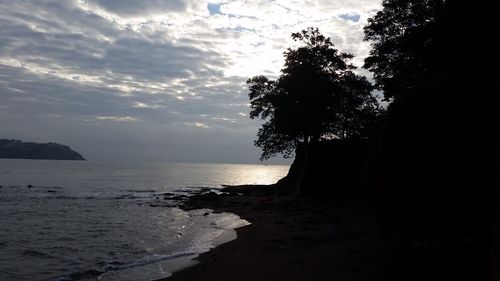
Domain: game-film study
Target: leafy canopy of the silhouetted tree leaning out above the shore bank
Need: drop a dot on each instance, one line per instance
(317, 96)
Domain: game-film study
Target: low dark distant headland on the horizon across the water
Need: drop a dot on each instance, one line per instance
(16, 149)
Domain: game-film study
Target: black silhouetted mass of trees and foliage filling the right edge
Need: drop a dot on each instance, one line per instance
(437, 63)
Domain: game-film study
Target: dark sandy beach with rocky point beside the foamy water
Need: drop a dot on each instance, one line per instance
(291, 239)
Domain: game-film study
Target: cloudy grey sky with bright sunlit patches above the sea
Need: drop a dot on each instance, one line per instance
(153, 80)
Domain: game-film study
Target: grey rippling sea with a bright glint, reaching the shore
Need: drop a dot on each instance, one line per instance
(84, 220)
